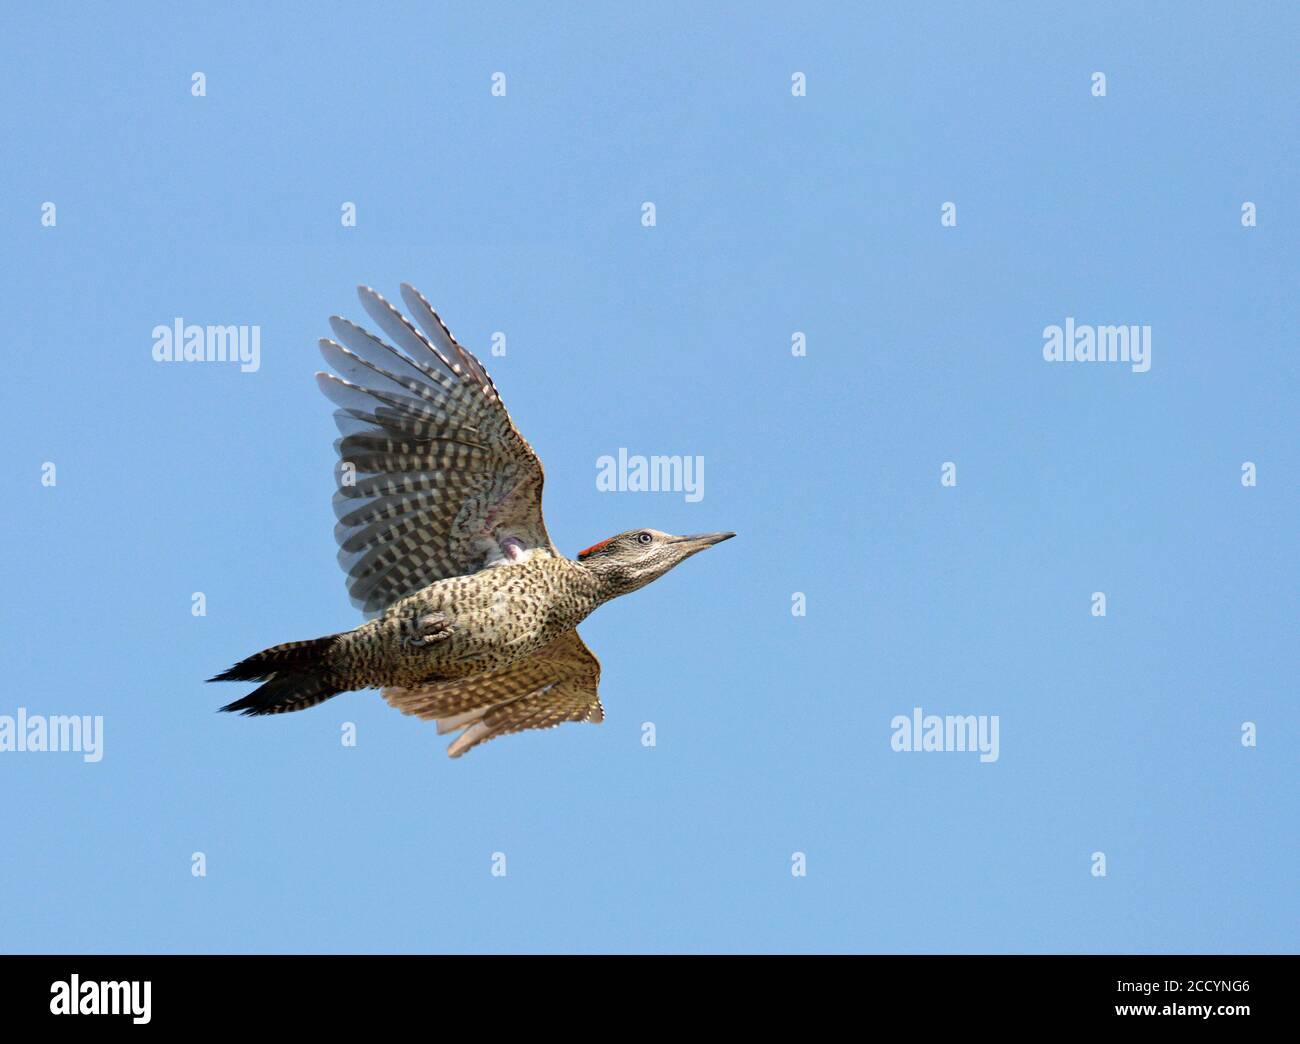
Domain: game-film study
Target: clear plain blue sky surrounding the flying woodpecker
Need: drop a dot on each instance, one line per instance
(775, 215)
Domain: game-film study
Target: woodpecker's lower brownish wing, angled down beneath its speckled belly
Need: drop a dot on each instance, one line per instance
(553, 686)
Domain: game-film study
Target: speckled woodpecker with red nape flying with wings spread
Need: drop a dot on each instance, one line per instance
(473, 610)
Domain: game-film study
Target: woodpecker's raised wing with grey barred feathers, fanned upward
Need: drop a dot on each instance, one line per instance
(435, 480)
